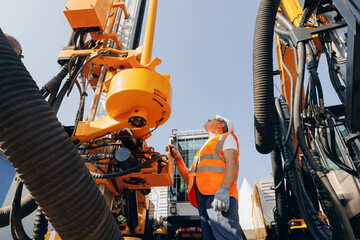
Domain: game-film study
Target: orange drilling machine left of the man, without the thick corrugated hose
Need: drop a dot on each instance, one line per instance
(130, 97)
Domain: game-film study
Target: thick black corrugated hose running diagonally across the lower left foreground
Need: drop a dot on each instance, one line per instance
(45, 159)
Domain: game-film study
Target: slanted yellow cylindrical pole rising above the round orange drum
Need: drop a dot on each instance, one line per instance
(149, 32)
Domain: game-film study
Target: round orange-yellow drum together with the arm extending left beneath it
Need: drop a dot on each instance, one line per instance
(132, 92)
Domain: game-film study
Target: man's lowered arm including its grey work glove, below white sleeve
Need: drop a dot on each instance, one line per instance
(222, 197)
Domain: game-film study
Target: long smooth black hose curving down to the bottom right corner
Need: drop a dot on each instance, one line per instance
(348, 232)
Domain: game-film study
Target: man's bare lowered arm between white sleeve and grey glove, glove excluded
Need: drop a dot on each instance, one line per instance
(230, 156)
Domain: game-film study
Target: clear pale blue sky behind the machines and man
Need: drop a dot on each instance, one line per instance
(205, 46)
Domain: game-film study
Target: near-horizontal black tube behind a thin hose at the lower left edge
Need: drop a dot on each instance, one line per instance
(28, 205)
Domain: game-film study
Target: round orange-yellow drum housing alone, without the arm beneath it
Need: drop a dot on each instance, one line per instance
(141, 92)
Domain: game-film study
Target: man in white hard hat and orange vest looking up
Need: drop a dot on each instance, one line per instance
(212, 181)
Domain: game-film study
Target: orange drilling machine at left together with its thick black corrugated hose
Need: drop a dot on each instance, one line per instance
(104, 181)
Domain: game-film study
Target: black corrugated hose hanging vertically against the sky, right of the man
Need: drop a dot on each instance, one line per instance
(263, 84)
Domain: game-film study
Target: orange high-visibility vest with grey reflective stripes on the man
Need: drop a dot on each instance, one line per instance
(208, 169)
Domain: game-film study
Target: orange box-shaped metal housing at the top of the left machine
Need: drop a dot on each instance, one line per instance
(88, 13)
